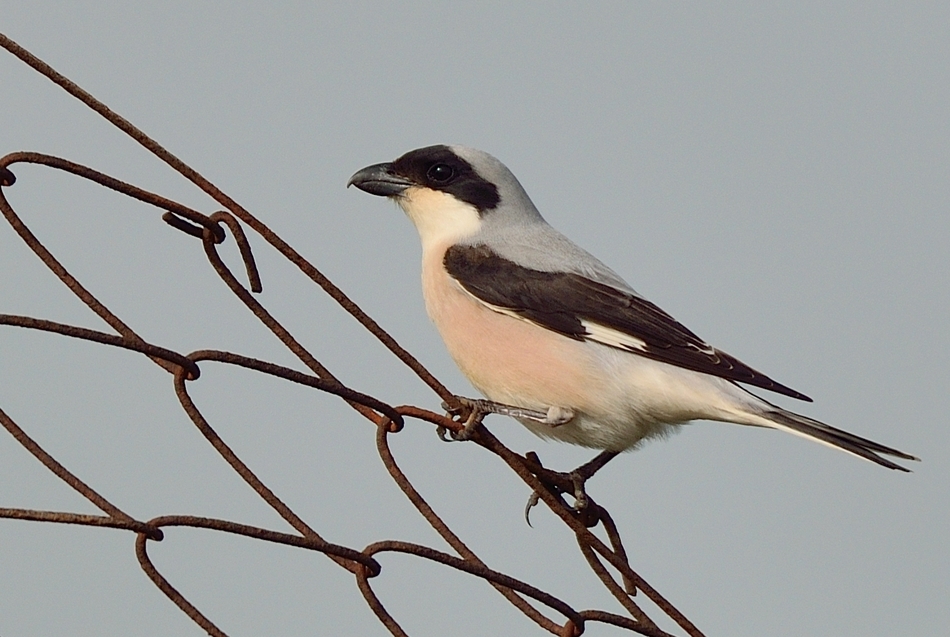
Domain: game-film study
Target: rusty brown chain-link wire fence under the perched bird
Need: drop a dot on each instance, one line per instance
(184, 368)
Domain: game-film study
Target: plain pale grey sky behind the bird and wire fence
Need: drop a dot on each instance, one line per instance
(776, 178)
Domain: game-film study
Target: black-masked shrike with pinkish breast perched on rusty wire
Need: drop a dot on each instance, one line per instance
(540, 325)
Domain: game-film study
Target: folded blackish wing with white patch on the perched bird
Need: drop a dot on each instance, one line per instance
(582, 309)
